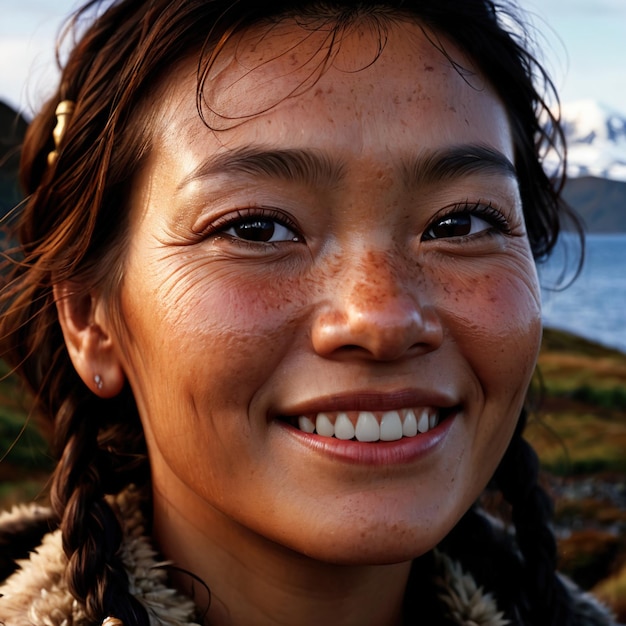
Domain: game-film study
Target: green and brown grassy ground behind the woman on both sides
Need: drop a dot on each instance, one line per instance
(578, 429)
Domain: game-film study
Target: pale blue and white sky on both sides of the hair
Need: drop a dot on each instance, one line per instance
(583, 43)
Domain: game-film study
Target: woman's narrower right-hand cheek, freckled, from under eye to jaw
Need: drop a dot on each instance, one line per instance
(493, 318)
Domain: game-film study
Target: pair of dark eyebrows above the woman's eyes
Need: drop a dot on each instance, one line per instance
(318, 168)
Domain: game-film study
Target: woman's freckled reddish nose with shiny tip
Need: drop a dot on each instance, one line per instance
(376, 310)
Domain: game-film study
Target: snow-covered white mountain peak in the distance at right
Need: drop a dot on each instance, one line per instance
(596, 140)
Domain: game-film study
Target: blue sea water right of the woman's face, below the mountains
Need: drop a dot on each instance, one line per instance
(594, 305)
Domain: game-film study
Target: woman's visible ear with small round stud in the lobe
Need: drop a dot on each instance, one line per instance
(89, 340)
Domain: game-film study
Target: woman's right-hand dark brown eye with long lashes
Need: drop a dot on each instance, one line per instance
(471, 220)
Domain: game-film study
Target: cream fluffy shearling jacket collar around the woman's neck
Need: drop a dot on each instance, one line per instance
(36, 594)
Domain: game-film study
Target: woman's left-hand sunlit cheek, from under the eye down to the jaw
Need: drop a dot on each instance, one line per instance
(201, 350)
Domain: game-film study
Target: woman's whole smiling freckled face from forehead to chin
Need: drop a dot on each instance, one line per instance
(351, 259)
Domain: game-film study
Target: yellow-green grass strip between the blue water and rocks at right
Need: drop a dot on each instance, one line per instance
(580, 427)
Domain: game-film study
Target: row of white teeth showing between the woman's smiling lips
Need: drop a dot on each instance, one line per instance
(372, 426)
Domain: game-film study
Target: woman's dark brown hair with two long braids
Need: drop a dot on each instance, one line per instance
(73, 223)
